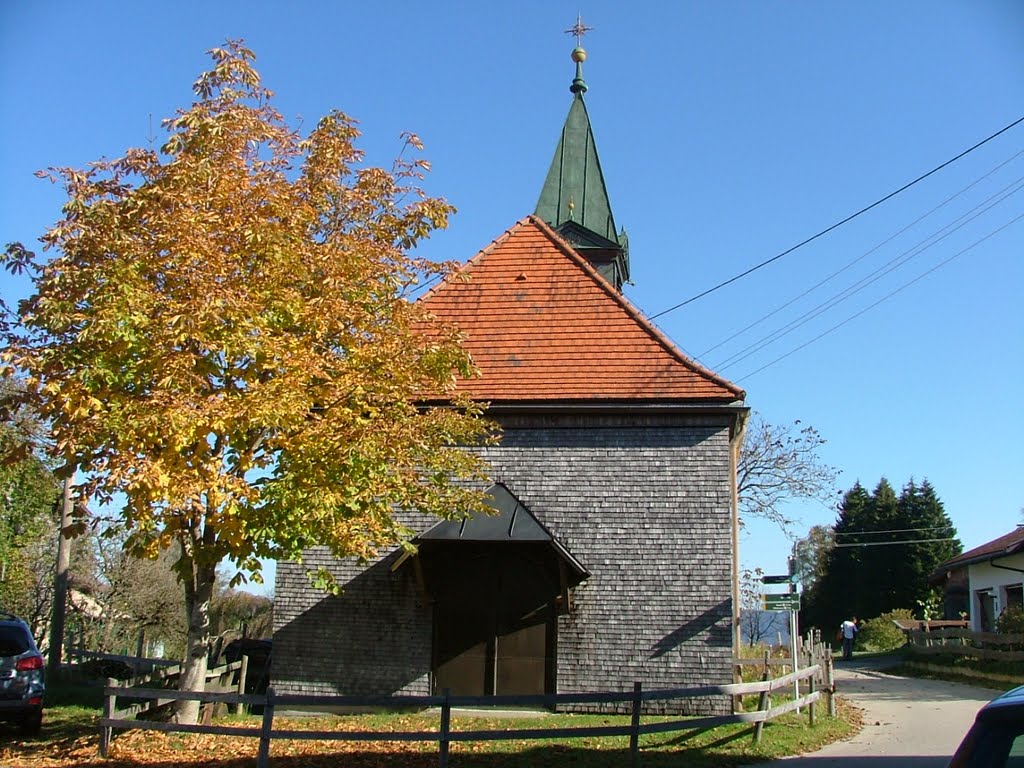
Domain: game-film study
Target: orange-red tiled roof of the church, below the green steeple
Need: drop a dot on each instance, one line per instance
(544, 326)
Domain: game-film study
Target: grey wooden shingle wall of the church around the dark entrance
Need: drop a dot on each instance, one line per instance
(644, 502)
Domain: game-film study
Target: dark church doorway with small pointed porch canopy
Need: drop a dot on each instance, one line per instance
(497, 585)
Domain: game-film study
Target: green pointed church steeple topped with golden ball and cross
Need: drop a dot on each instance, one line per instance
(574, 200)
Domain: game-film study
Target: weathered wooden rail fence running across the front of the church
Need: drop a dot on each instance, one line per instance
(119, 719)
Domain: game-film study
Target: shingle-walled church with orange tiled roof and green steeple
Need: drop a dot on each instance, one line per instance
(612, 556)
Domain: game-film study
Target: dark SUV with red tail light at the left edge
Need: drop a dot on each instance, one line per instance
(21, 675)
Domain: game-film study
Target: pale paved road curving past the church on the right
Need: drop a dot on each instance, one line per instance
(909, 722)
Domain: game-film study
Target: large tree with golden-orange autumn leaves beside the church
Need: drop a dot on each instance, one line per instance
(223, 346)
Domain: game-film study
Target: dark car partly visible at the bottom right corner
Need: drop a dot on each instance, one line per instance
(997, 739)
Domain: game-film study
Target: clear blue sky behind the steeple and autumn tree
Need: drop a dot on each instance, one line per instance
(729, 133)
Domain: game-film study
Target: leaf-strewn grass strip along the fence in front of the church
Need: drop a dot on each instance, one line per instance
(70, 737)
